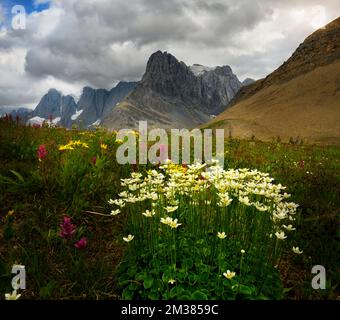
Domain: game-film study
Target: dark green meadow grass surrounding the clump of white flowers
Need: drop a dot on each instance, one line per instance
(41, 193)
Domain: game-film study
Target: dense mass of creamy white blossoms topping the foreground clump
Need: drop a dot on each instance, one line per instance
(243, 187)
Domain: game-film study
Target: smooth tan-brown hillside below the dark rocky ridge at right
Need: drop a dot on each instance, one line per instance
(306, 107)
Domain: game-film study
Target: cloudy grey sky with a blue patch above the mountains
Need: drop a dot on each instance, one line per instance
(69, 44)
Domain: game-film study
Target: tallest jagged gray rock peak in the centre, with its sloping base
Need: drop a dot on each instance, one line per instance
(173, 95)
